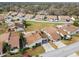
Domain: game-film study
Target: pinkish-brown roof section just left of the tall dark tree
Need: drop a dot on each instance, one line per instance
(13, 40)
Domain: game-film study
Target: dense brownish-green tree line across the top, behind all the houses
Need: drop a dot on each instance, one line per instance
(50, 8)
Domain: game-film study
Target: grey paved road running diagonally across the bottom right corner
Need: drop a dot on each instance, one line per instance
(64, 51)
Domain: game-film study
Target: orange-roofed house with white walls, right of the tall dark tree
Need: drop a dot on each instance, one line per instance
(33, 37)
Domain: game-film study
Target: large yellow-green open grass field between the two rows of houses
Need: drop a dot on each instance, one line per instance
(39, 25)
